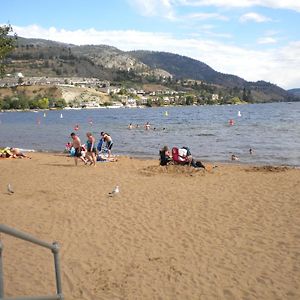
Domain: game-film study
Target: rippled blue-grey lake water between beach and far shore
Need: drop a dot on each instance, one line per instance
(271, 130)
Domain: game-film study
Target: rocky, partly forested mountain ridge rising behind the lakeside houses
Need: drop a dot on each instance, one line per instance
(38, 57)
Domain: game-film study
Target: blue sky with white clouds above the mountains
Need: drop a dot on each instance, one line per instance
(253, 39)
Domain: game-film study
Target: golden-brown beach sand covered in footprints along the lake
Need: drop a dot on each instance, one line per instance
(171, 233)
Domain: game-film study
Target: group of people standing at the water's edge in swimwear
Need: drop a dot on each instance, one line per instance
(89, 152)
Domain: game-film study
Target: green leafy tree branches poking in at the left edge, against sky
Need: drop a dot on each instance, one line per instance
(7, 45)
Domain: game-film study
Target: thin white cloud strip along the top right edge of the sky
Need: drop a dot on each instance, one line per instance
(282, 4)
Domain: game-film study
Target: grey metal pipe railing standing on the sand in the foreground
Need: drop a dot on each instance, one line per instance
(54, 247)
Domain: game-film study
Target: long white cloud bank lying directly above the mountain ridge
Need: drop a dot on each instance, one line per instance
(278, 65)
